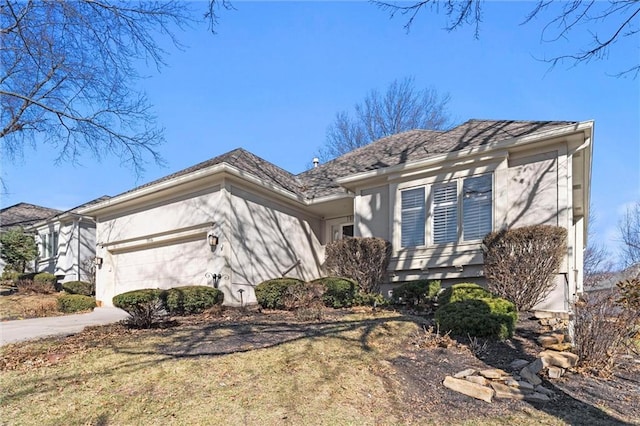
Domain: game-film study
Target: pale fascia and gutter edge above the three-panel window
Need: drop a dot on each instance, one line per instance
(519, 141)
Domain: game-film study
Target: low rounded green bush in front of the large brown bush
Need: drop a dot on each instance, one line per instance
(470, 310)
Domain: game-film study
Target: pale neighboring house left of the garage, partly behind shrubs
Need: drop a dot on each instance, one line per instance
(66, 243)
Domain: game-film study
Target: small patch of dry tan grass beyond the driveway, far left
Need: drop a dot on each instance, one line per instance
(20, 306)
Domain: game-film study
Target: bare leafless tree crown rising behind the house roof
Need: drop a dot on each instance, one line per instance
(402, 107)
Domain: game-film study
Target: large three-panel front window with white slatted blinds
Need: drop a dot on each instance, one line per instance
(460, 210)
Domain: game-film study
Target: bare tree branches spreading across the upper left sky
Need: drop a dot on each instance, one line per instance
(69, 71)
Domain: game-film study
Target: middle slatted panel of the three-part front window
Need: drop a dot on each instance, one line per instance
(445, 213)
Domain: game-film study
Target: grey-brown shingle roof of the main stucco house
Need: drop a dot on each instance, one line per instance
(389, 151)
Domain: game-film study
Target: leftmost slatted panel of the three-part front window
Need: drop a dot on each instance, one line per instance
(412, 218)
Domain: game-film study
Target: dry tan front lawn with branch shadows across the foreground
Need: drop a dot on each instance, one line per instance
(356, 367)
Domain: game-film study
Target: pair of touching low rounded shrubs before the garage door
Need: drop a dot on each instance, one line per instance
(148, 306)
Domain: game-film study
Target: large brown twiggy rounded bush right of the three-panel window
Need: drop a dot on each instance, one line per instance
(520, 263)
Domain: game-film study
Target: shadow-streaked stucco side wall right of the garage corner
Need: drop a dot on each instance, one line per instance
(268, 238)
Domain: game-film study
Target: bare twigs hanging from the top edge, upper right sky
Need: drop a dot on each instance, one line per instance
(565, 18)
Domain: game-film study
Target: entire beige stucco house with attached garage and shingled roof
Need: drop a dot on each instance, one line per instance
(236, 220)
